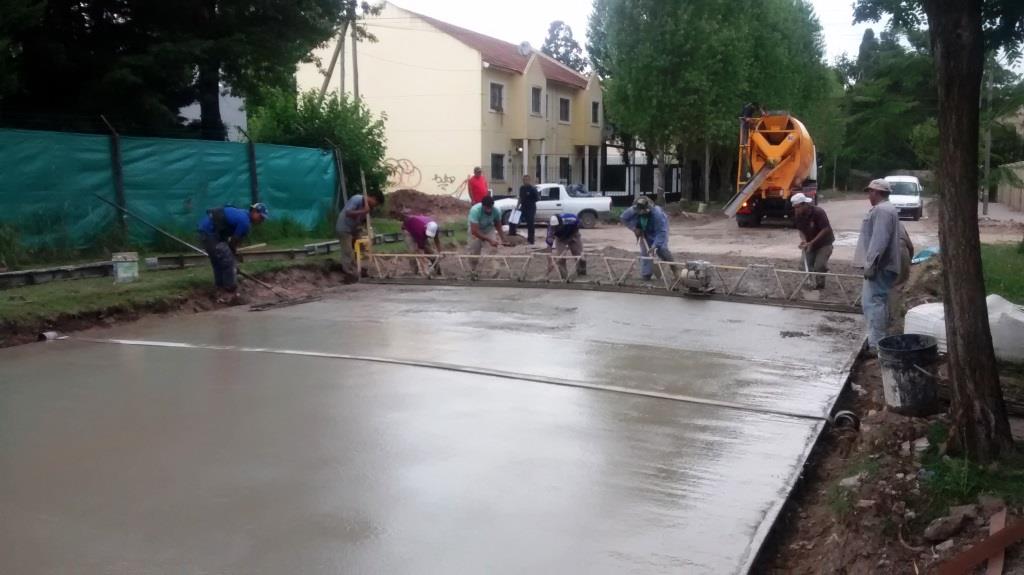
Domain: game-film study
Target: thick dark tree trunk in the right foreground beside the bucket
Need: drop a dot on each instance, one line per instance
(980, 429)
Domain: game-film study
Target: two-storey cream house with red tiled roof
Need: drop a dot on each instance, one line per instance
(455, 100)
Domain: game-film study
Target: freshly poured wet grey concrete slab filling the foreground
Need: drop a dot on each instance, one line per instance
(410, 430)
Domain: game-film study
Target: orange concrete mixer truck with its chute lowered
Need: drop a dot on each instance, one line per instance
(777, 160)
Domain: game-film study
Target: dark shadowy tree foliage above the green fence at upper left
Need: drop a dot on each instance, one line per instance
(64, 63)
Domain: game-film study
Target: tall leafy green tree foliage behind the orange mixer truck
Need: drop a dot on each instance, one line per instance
(679, 73)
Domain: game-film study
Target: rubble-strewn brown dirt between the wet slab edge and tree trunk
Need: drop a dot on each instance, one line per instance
(861, 508)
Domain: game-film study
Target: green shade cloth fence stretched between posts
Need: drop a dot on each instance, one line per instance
(48, 181)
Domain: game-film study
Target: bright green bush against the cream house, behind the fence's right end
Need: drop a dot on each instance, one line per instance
(308, 121)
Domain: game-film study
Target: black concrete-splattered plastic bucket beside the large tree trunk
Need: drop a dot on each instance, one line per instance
(909, 373)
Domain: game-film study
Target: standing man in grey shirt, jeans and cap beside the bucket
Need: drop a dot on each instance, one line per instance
(879, 253)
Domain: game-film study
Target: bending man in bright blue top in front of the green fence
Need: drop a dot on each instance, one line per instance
(221, 234)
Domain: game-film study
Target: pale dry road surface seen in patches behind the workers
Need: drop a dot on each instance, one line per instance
(722, 237)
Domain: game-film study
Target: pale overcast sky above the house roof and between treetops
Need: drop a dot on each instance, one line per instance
(529, 20)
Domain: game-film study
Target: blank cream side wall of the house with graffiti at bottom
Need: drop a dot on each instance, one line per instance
(429, 85)
